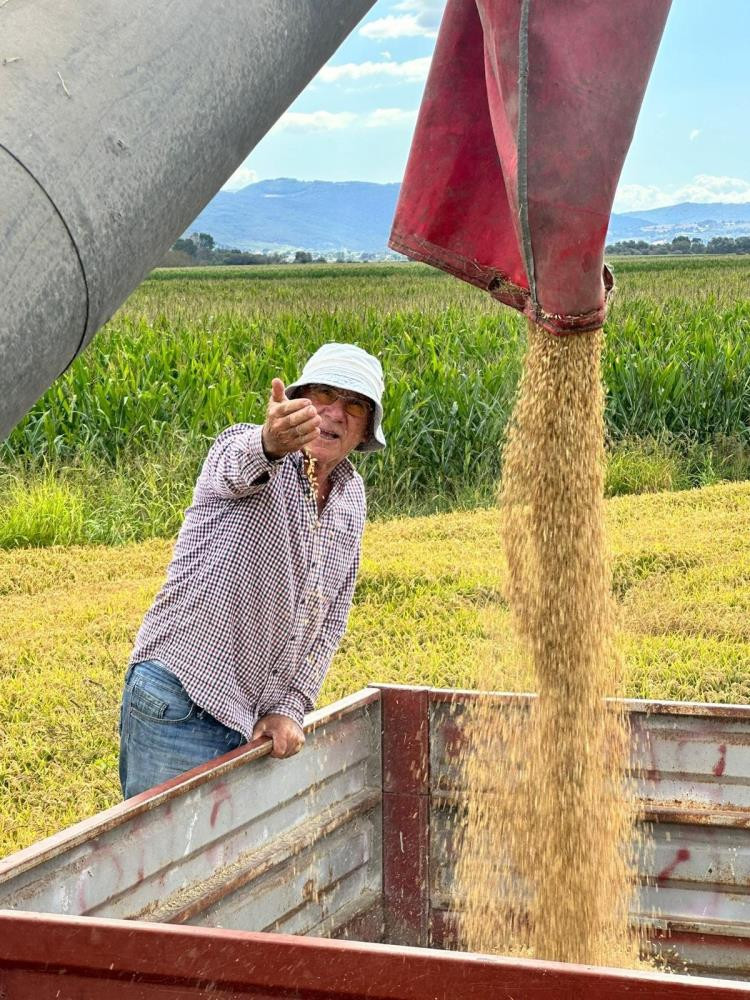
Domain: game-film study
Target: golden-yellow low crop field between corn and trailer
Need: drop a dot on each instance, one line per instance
(428, 610)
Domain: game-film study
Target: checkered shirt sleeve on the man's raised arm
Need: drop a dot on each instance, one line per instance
(236, 464)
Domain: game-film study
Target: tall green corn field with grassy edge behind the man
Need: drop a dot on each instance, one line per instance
(123, 432)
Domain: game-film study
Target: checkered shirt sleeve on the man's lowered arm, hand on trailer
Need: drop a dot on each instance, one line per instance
(303, 692)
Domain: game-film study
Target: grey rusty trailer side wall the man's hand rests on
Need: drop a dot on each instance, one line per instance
(289, 845)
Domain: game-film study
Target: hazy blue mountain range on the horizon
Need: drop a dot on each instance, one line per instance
(327, 217)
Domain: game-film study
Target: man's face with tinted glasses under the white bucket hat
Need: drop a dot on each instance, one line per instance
(345, 420)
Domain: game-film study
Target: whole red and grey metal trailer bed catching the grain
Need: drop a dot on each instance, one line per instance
(331, 874)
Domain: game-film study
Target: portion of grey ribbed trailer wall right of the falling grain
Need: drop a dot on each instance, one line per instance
(692, 765)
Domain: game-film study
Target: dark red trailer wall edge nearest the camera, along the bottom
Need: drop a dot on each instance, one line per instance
(87, 959)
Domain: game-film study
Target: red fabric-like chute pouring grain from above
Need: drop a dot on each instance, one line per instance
(527, 115)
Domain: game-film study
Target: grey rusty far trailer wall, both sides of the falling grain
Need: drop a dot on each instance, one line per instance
(691, 765)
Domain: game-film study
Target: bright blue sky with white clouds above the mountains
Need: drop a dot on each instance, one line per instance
(354, 121)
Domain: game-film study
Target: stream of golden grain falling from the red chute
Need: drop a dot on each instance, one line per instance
(545, 863)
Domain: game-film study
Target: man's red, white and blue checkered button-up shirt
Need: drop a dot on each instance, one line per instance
(259, 588)
